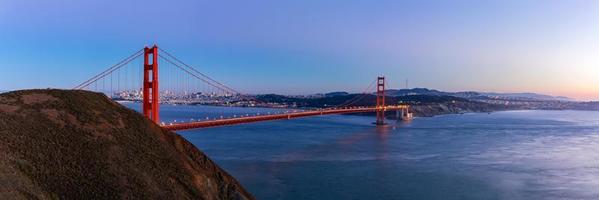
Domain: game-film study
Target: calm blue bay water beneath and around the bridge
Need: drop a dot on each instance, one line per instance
(504, 155)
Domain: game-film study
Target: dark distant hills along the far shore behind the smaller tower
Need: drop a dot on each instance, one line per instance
(428, 102)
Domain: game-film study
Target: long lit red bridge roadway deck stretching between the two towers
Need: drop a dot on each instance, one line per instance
(271, 117)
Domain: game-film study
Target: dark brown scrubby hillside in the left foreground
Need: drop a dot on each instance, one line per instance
(59, 144)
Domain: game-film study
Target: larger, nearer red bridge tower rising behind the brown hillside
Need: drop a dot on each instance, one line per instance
(150, 85)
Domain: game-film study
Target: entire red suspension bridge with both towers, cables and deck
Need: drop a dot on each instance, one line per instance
(181, 82)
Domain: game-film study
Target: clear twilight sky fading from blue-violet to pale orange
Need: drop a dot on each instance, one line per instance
(309, 46)
